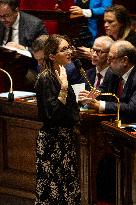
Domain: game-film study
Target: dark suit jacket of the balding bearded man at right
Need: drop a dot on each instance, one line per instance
(127, 100)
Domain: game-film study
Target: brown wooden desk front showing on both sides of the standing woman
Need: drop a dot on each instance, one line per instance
(19, 127)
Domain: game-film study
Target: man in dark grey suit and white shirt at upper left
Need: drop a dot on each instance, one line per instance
(18, 28)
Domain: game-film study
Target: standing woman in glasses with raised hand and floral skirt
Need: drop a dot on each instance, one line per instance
(57, 156)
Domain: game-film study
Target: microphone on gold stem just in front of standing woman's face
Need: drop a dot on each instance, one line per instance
(78, 65)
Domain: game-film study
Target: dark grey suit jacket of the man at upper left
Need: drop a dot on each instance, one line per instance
(30, 27)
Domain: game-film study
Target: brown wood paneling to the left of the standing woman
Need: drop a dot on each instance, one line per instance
(17, 154)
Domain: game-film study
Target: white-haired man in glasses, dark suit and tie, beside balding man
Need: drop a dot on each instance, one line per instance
(99, 53)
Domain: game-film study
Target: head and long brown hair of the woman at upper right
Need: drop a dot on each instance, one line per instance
(117, 24)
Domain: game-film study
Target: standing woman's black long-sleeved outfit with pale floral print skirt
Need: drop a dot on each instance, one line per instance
(58, 150)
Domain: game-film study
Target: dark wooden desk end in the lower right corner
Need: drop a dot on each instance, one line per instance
(124, 148)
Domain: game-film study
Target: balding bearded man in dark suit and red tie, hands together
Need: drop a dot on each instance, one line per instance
(122, 60)
